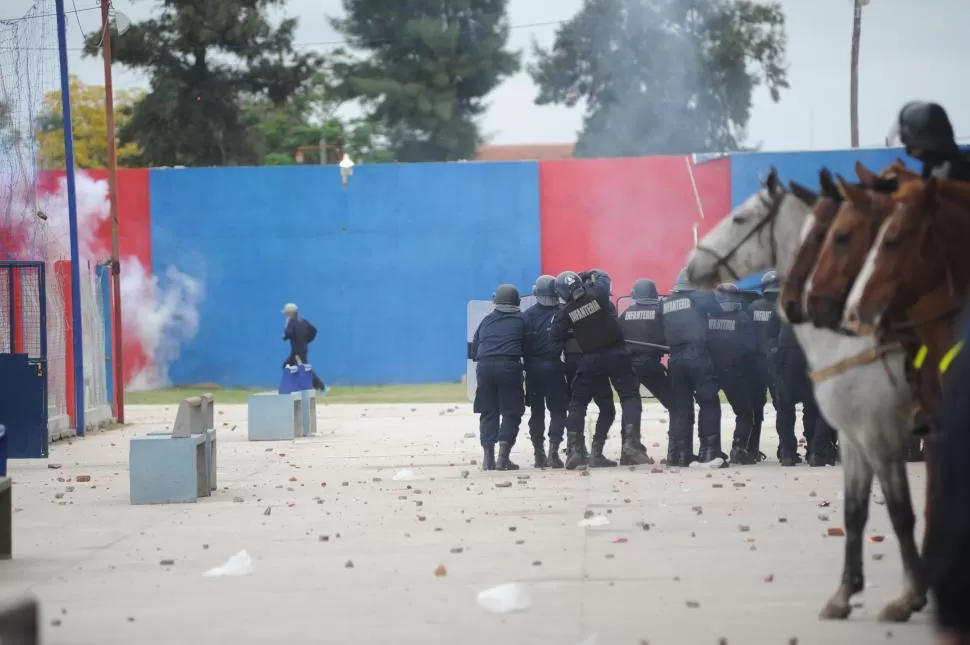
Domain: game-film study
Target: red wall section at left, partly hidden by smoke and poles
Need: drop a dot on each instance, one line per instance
(134, 237)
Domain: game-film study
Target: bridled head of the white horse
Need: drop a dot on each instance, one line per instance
(760, 234)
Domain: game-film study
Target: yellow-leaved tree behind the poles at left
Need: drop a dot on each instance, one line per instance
(90, 127)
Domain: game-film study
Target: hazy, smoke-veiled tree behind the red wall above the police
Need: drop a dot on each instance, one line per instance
(663, 76)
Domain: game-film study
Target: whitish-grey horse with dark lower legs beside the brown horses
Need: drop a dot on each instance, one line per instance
(866, 399)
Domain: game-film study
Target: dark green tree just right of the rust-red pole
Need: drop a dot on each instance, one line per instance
(206, 59)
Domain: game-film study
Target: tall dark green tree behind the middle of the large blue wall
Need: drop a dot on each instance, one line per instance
(429, 66)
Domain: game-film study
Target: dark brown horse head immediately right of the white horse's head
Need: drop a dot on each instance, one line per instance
(825, 208)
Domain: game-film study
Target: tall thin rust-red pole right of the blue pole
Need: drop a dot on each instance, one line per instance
(117, 361)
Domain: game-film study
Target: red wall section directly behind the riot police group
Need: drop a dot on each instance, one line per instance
(631, 217)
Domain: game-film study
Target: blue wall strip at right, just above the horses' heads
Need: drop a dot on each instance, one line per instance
(747, 170)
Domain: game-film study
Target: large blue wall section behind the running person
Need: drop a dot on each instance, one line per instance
(384, 269)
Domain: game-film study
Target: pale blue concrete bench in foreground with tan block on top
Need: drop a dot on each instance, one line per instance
(179, 466)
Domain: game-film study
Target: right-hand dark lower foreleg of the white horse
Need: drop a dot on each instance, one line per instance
(895, 486)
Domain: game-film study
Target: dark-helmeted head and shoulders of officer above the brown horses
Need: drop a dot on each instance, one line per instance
(924, 130)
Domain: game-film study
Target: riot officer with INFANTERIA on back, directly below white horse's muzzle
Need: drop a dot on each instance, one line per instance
(692, 375)
